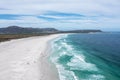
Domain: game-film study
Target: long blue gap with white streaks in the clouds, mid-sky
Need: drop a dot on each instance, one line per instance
(58, 16)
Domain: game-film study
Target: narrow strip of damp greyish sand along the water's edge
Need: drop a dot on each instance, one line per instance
(51, 71)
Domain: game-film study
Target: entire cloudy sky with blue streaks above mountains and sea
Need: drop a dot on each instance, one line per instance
(61, 14)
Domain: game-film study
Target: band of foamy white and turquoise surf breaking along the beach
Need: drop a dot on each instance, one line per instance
(68, 60)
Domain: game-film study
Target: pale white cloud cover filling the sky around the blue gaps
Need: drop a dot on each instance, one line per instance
(107, 12)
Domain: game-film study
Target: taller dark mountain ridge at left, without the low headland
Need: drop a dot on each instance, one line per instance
(22, 30)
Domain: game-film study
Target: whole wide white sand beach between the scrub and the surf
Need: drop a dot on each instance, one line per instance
(26, 59)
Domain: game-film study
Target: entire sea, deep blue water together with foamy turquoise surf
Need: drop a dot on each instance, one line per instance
(87, 56)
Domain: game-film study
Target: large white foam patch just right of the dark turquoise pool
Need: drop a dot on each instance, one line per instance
(79, 63)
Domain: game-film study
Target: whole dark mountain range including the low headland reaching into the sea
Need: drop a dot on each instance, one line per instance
(23, 30)
